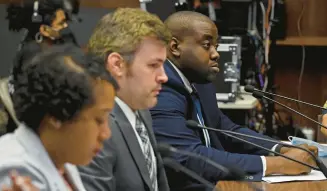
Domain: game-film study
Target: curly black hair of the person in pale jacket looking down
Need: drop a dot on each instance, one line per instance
(51, 85)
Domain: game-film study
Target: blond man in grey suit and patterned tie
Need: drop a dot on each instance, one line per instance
(133, 44)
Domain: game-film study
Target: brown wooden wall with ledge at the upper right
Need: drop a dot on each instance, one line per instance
(287, 59)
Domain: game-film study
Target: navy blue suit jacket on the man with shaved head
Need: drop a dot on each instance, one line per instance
(169, 116)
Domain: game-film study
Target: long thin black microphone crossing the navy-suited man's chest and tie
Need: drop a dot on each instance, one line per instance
(194, 125)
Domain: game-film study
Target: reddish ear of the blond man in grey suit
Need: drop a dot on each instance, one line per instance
(115, 64)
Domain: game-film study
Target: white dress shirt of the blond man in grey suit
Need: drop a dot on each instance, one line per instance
(131, 116)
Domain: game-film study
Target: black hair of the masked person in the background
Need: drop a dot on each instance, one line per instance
(19, 14)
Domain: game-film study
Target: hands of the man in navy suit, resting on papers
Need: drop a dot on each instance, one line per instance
(279, 165)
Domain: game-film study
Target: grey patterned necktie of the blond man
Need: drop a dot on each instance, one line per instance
(147, 152)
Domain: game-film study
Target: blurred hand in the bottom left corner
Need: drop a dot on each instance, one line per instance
(19, 183)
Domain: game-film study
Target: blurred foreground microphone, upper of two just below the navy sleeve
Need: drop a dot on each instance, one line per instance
(232, 173)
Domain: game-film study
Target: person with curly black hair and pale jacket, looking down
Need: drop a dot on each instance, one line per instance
(63, 102)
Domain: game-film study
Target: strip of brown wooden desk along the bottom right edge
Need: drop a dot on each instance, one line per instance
(287, 186)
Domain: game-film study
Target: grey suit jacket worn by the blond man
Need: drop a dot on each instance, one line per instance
(121, 165)
